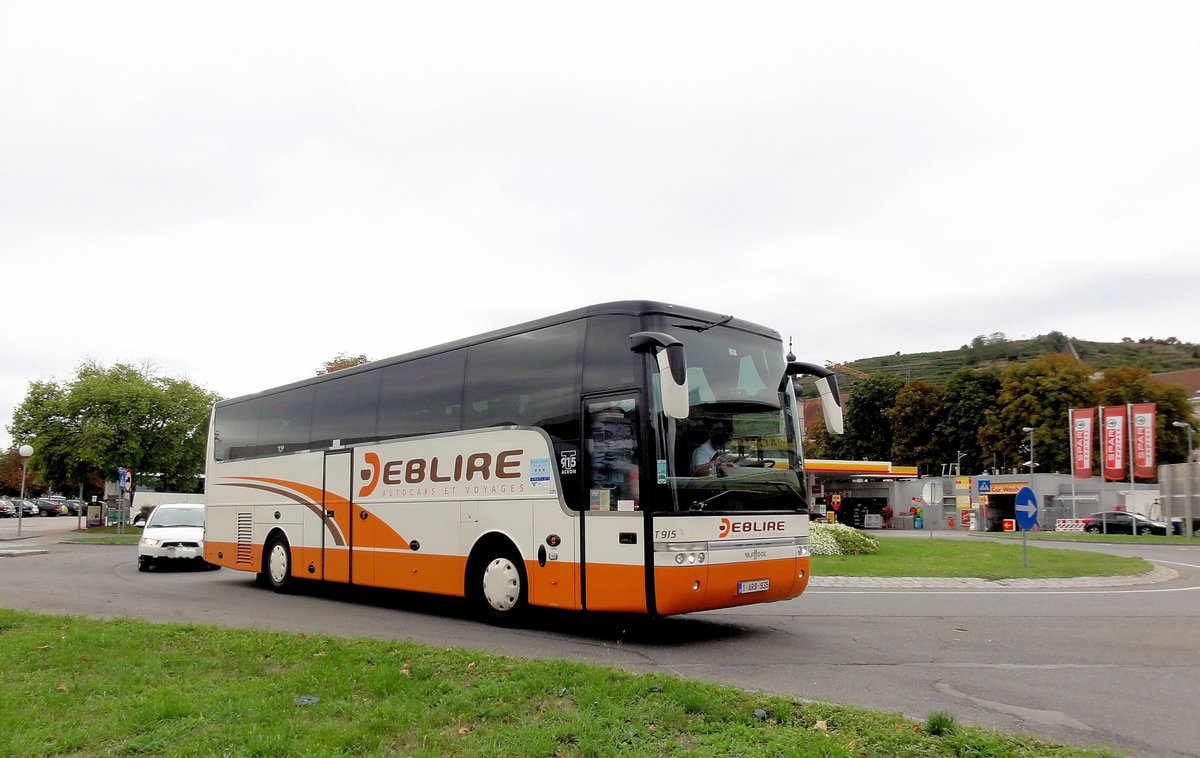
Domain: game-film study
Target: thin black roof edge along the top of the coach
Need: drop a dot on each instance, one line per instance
(623, 308)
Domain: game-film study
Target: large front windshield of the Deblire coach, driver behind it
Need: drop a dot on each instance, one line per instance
(737, 450)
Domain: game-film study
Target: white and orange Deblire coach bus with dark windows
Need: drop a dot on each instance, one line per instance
(631, 458)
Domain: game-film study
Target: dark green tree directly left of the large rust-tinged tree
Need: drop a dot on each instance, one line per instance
(969, 396)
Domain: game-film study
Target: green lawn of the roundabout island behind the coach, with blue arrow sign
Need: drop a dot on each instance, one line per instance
(910, 557)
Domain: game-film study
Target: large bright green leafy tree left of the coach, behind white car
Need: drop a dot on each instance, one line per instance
(110, 418)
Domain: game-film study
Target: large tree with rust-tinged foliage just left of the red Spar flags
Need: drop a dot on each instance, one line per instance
(1037, 394)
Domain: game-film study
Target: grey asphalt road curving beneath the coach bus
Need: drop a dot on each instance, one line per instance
(1117, 667)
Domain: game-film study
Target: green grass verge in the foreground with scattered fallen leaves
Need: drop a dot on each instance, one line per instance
(75, 687)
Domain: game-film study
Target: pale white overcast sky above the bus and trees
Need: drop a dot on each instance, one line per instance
(237, 192)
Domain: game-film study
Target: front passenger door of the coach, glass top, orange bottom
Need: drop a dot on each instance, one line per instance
(613, 525)
